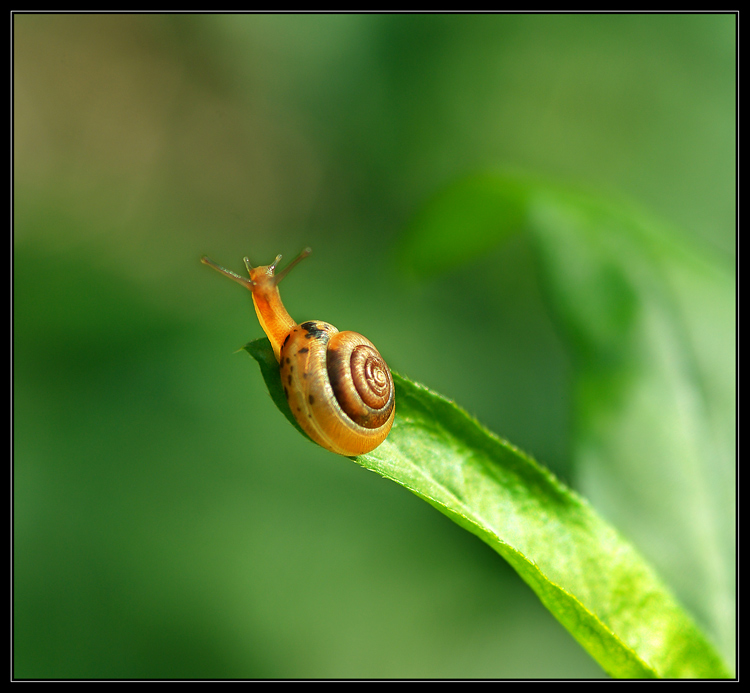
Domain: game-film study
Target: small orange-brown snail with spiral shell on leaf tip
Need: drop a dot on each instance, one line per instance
(337, 384)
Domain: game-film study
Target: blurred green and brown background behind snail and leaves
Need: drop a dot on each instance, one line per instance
(168, 521)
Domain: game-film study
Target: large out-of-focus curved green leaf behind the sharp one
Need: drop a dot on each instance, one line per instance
(649, 322)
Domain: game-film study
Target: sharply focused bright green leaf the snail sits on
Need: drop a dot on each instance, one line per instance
(591, 579)
